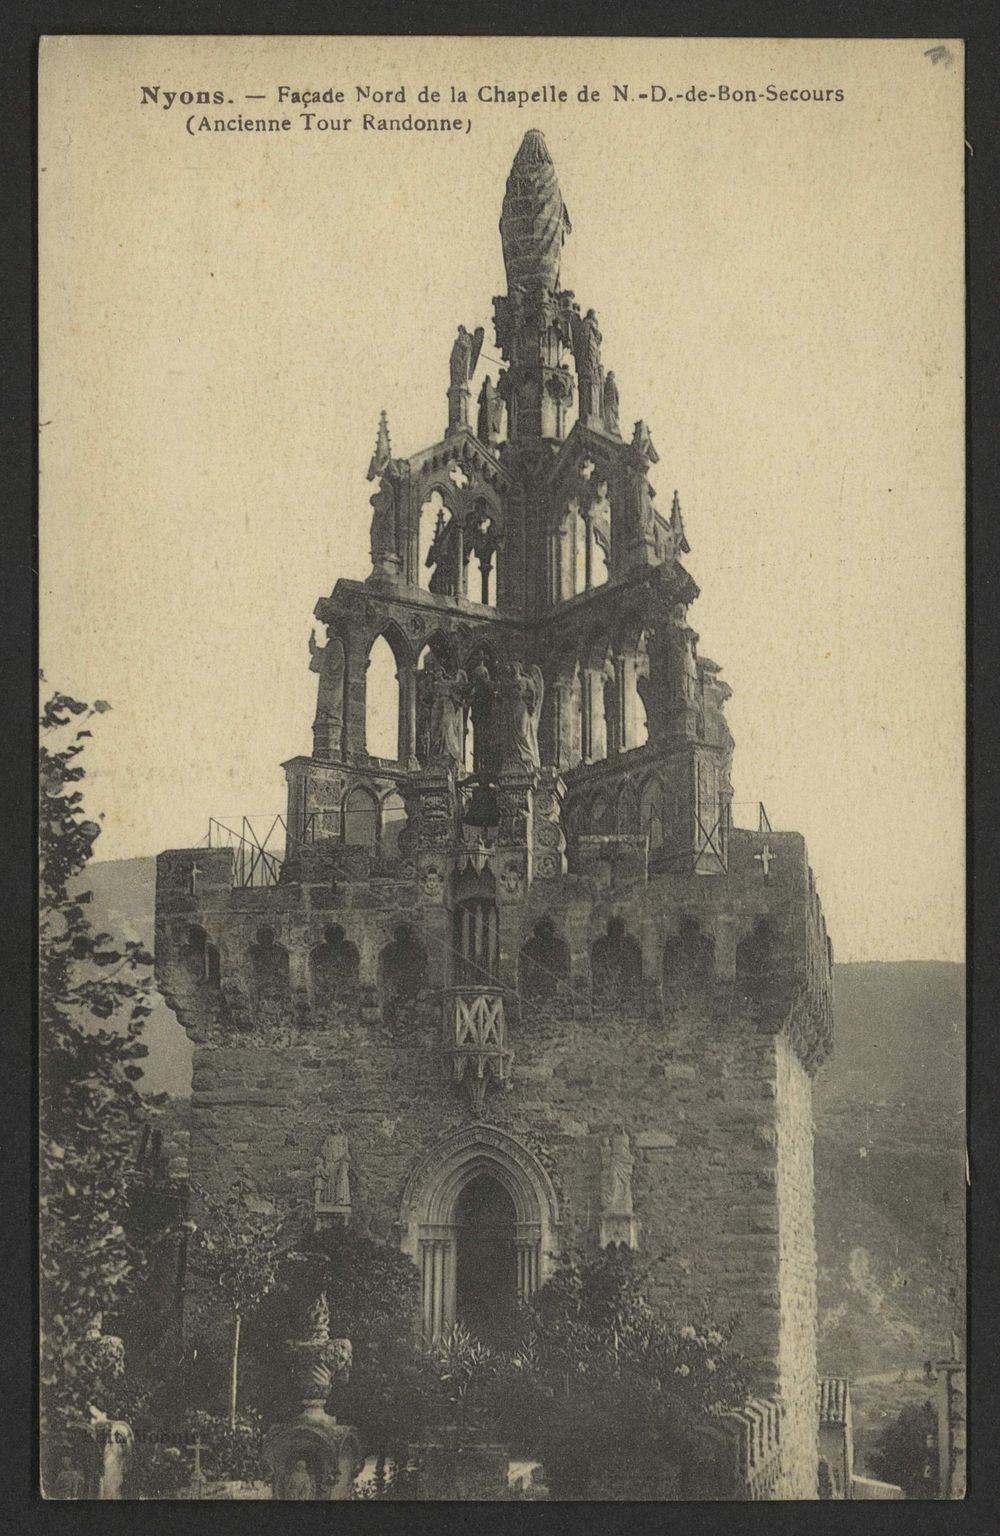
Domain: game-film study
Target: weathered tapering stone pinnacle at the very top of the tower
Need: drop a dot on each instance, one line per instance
(534, 220)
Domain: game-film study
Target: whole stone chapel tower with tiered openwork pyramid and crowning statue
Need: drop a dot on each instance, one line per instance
(520, 985)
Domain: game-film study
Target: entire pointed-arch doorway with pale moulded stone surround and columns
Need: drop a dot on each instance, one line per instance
(455, 1216)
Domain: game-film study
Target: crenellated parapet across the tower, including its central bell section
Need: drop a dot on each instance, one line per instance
(747, 948)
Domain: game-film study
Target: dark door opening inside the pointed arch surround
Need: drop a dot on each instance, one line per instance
(486, 1285)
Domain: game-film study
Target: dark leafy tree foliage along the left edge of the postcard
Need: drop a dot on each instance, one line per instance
(94, 1002)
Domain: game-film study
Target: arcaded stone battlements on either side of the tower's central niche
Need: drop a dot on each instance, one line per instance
(753, 947)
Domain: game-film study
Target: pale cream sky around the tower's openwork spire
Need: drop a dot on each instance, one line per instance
(781, 297)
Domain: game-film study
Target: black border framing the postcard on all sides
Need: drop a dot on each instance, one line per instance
(21, 27)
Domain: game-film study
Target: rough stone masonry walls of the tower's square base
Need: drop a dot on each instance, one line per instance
(700, 1067)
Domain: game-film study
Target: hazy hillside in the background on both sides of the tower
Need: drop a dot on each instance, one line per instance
(890, 1144)
